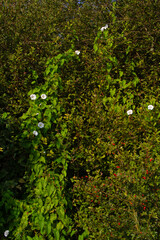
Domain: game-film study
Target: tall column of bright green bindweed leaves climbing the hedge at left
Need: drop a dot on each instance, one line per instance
(43, 212)
